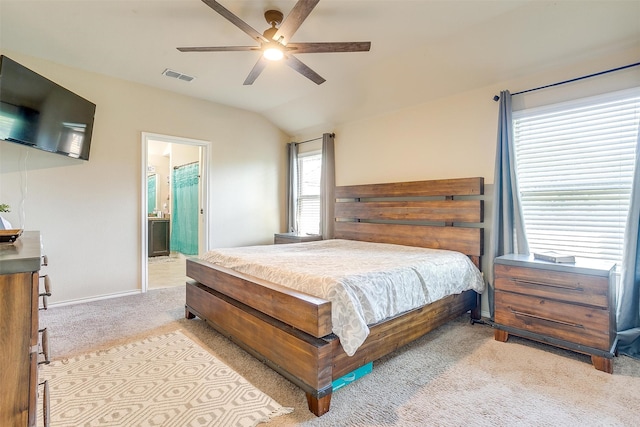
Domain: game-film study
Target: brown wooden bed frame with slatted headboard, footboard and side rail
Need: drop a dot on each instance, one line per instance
(291, 331)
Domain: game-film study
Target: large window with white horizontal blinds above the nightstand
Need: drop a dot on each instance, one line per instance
(575, 165)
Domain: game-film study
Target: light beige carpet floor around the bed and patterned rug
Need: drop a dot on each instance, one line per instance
(456, 375)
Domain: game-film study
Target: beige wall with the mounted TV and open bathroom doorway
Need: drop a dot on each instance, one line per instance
(89, 213)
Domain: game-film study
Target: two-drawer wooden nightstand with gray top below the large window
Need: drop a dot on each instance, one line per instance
(567, 305)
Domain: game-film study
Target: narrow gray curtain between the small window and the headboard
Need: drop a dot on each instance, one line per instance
(327, 186)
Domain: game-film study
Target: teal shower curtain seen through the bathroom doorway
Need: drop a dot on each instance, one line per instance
(184, 212)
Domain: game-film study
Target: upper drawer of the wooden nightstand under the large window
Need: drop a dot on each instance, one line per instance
(569, 287)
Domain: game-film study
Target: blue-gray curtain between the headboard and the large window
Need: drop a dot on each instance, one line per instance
(507, 225)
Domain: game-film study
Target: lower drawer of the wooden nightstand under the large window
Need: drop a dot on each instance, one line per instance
(588, 326)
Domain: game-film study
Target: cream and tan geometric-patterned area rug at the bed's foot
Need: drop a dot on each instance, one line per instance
(166, 380)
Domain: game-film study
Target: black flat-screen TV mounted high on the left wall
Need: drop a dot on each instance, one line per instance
(39, 113)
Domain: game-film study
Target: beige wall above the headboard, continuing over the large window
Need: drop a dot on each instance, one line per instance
(456, 136)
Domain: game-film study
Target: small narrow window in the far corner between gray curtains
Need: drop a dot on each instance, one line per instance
(308, 208)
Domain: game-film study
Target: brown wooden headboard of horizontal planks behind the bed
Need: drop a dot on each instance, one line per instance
(439, 214)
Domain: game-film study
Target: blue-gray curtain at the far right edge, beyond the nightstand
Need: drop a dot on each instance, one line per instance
(628, 303)
